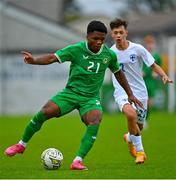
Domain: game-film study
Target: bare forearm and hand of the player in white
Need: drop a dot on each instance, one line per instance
(158, 70)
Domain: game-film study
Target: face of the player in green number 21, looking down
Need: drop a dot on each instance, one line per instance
(95, 40)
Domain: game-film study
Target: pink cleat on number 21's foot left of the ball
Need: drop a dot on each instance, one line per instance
(15, 149)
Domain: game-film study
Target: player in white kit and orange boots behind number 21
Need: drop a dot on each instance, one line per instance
(131, 57)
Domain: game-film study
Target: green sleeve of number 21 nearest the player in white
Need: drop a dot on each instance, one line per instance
(114, 65)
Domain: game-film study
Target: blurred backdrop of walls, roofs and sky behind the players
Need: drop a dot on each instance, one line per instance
(43, 26)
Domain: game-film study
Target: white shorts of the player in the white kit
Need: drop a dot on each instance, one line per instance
(141, 112)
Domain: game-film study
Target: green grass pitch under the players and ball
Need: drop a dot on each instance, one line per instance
(109, 158)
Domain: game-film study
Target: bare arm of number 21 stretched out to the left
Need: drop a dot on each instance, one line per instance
(42, 60)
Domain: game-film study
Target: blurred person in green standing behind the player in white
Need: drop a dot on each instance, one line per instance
(149, 76)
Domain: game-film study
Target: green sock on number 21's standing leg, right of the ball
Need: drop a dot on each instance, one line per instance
(88, 140)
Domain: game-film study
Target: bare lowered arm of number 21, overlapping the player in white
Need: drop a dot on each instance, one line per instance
(120, 77)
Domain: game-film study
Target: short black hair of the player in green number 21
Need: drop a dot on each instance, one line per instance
(96, 26)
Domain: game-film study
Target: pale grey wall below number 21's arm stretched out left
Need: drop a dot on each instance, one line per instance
(25, 88)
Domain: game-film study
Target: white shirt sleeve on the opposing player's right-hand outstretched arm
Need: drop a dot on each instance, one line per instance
(146, 56)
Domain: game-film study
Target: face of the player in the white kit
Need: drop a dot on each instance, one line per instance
(119, 34)
